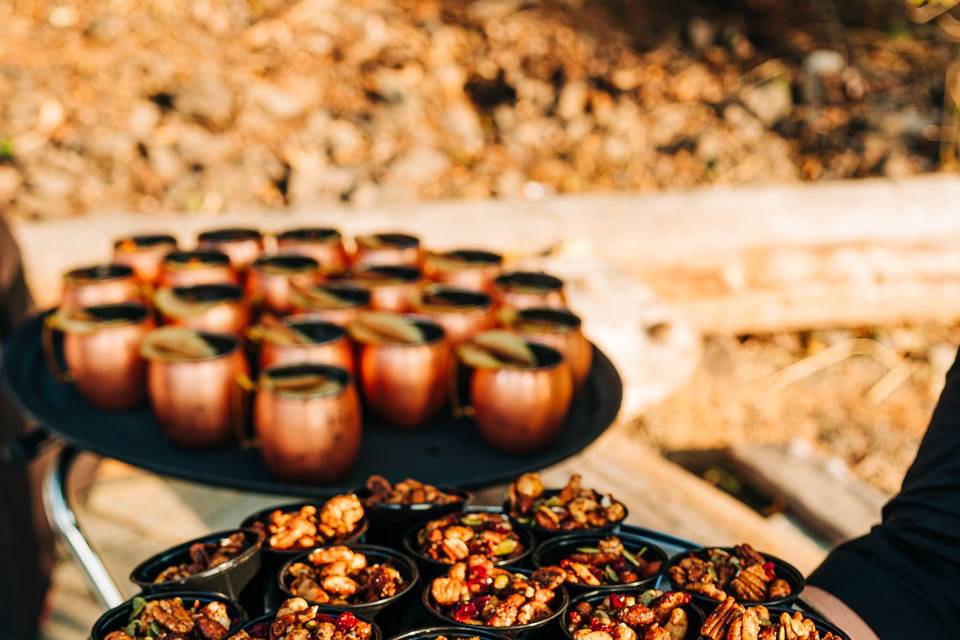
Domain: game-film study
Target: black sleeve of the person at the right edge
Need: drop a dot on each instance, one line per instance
(903, 578)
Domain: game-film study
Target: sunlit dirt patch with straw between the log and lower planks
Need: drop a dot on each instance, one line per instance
(863, 397)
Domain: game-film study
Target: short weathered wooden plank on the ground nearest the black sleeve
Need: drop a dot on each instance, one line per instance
(829, 500)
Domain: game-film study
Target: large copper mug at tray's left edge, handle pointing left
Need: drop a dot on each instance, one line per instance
(102, 353)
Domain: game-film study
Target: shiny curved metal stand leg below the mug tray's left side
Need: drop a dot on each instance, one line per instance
(56, 503)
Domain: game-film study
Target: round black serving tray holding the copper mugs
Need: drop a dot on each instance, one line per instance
(447, 453)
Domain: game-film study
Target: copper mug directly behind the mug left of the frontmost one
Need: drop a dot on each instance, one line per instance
(217, 308)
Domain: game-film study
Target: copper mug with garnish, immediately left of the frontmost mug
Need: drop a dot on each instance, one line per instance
(197, 401)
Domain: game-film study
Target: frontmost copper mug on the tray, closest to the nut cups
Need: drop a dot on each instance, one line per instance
(307, 435)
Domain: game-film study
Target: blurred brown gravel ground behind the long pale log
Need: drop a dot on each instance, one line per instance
(206, 105)
